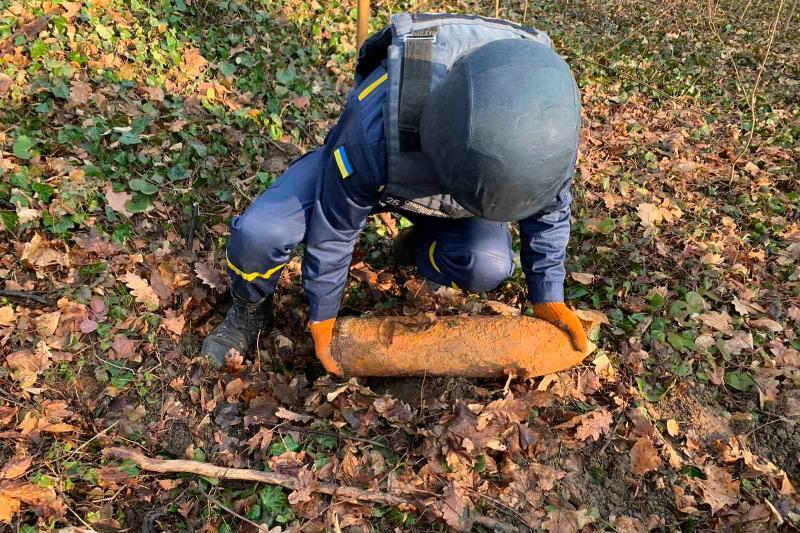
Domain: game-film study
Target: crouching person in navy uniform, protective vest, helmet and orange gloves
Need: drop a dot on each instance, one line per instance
(461, 144)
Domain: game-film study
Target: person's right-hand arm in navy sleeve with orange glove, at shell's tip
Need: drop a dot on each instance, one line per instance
(544, 238)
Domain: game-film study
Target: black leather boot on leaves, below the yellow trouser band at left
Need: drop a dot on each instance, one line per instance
(240, 329)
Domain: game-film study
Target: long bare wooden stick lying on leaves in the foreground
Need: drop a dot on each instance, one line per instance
(179, 466)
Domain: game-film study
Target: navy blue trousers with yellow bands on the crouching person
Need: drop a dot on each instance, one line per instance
(471, 253)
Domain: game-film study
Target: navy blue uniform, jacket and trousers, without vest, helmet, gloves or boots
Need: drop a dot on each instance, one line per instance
(323, 201)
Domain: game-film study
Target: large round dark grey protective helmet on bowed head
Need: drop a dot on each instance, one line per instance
(501, 129)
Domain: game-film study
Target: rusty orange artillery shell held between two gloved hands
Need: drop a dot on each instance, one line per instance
(468, 346)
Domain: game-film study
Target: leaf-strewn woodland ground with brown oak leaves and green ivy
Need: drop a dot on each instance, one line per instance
(133, 131)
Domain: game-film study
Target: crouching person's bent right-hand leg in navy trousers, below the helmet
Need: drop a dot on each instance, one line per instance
(473, 254)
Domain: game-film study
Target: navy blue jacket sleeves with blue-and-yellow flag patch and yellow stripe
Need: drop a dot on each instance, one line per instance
(356, 148)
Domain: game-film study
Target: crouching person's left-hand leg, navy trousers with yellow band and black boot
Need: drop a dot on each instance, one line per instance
(261, 243)
